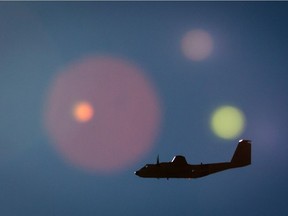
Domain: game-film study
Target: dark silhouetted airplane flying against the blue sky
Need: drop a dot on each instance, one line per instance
(179, 168)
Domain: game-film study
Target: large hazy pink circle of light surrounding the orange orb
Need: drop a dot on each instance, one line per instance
(124, 125)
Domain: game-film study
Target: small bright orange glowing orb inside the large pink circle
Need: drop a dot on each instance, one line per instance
(83, 112)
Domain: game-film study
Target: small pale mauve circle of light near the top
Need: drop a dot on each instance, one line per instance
(197, 45)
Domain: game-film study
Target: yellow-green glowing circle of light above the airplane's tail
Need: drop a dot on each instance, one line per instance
(227, 122)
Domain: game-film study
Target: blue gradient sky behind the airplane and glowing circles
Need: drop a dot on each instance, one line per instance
(247, 68)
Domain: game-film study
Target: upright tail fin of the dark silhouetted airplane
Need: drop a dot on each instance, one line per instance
(242, 155)
